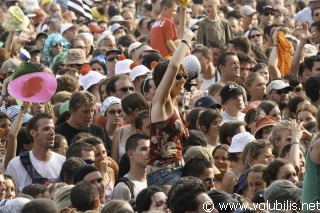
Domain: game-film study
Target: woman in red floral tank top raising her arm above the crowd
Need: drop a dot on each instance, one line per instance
(168, 130)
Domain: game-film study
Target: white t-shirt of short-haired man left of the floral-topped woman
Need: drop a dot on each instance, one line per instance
(122, 192)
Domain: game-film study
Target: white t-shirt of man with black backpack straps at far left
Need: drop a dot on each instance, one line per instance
(50, 169)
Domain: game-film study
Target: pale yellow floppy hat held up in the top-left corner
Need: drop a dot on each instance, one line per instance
(16, 20)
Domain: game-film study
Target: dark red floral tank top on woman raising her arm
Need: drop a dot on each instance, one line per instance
(167, 138)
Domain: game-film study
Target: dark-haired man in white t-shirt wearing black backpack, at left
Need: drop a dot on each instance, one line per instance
(43, 163)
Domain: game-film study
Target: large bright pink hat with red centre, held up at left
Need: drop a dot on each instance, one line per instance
(37, 87)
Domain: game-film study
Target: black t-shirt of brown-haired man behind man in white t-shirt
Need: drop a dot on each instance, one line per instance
(69, 132)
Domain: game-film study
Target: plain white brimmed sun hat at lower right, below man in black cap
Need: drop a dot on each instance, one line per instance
(239, 141)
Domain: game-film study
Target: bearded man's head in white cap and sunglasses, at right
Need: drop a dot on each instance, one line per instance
(278, 91)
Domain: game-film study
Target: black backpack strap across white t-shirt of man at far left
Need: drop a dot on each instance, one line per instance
(26, 162)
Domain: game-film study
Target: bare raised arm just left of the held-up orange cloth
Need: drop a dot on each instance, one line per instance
(273, 58)
